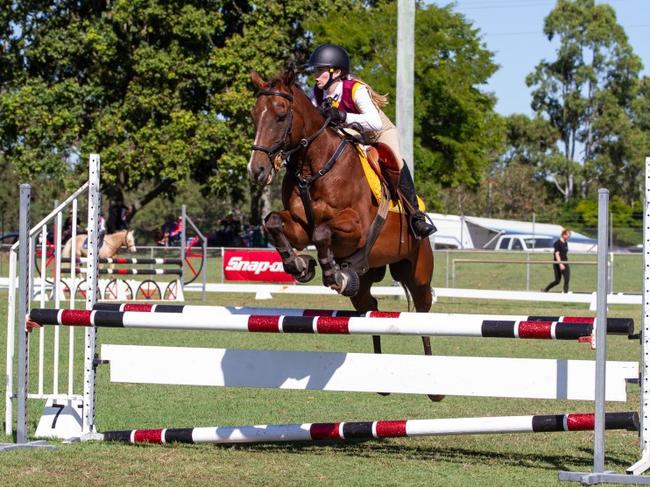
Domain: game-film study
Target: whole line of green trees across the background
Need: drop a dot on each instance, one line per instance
(162, 91)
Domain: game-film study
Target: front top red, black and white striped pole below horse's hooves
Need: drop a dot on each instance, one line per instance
(418, 324)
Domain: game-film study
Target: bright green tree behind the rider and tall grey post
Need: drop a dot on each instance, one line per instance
(456, 130)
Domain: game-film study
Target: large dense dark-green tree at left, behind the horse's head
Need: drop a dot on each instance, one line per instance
(159, 88)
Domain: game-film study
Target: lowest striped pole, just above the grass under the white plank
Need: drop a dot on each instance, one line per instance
(368, 430)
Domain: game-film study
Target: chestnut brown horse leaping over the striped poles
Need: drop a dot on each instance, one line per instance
(328, 203)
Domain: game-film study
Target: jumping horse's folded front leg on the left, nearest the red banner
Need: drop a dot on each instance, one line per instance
(283, 231)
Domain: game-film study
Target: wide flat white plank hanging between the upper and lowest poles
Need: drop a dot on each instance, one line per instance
(331, 371)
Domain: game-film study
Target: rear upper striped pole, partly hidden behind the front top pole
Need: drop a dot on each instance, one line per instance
(615, 326)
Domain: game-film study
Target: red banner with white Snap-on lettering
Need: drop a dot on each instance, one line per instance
(254, 265)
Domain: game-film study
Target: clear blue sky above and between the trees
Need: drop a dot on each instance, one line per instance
(512, 29)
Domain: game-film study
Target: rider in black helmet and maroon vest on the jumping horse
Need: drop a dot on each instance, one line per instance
(350, 101)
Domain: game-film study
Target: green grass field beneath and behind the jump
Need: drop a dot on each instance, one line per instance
(522, 459)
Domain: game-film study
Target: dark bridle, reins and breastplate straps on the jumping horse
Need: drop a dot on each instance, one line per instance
(278, 155)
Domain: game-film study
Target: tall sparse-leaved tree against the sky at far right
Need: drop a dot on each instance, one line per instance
(586, 93)
